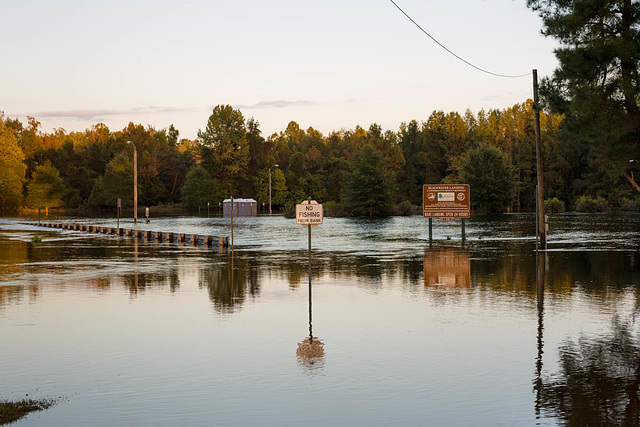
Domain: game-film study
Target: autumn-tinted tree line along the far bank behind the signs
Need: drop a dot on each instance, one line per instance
(361, 172)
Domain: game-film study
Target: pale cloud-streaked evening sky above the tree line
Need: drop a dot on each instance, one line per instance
(329, 64)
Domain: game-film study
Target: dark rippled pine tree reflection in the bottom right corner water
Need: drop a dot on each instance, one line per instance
(598, 381)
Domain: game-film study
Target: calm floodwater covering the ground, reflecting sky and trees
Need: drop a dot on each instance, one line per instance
(404, 332)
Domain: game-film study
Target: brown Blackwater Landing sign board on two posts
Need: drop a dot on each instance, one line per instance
(446, 201)
